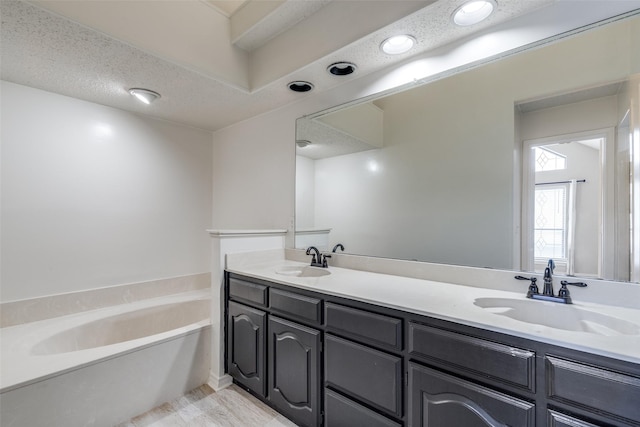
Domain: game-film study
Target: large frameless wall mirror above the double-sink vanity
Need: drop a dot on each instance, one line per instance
(505, 165)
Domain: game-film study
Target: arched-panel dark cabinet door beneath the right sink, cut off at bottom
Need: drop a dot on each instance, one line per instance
(441, 400)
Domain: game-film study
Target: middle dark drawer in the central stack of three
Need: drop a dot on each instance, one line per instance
(368, 375)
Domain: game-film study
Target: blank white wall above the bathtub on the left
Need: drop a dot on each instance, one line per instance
(93, 196)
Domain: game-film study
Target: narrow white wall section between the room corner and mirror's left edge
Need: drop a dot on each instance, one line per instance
(254, 174)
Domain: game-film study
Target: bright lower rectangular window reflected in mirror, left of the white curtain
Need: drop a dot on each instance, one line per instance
(550, 221)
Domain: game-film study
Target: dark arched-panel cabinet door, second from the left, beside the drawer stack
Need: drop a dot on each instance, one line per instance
(294, 383)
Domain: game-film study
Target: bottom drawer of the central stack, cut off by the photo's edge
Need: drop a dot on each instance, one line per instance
(342, 412)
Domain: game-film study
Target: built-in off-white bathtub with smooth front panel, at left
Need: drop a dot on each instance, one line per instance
(104, 366)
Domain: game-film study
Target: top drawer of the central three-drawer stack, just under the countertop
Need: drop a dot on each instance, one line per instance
(361, 325)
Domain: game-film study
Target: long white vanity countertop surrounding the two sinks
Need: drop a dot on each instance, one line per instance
(447, 302)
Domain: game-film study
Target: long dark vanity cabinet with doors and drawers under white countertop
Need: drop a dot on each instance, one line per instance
(323, 360)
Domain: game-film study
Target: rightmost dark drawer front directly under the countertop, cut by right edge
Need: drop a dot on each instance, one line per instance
(594, 389)
